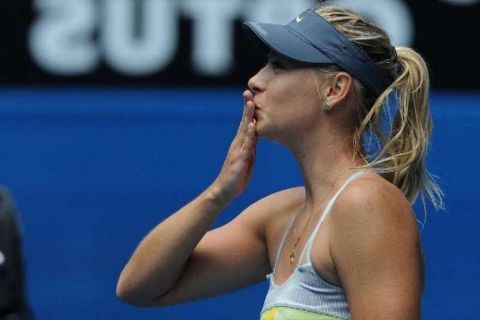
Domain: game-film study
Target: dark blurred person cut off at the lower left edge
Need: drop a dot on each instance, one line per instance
(13, 301)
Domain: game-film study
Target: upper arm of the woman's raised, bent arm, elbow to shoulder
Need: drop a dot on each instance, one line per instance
(230, 257)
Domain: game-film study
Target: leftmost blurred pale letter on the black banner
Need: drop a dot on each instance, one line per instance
(61, 39)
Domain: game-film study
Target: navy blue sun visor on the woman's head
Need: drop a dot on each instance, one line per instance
(311, 39)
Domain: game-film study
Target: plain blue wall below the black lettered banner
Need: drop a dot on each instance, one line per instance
(93, 170)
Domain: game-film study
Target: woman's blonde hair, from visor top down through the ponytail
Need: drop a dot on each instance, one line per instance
(400, 150)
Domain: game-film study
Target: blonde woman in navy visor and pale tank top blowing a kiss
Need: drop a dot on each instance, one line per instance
(345, 245)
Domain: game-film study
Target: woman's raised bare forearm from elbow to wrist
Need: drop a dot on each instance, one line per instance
(160, 258)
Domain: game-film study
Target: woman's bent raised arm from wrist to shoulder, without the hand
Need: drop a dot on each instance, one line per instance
(226, 259)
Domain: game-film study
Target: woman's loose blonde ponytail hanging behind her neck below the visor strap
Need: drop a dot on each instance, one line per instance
(402, 150)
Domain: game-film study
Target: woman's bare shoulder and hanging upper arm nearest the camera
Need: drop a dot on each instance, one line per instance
(375, 247)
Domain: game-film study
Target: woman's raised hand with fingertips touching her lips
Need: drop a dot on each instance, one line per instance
(238, 166)
